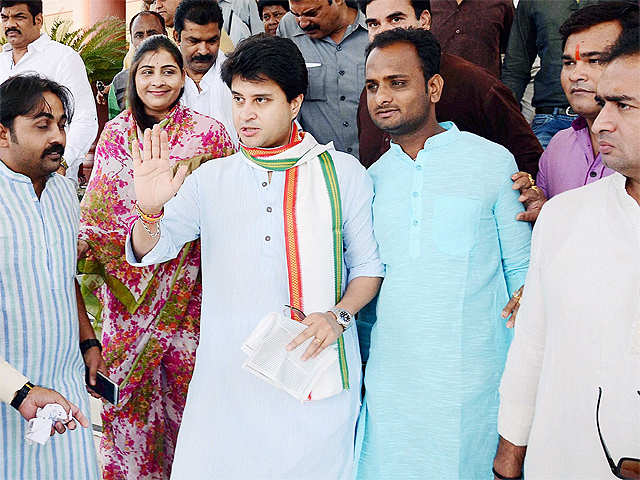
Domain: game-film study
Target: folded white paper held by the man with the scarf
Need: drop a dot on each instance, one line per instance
(268, 359)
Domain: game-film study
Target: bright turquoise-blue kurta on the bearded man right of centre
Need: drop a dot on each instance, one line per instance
(453, 253)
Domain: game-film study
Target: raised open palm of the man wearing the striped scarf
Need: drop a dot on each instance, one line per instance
(153, 178)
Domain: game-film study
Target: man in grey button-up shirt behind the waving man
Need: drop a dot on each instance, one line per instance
(332, 37)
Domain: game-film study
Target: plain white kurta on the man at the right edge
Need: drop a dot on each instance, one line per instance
(578, 329)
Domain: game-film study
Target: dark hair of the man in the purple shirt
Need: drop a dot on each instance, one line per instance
(626, 13)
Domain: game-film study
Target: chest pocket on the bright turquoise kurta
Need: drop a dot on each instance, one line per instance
(454, 227)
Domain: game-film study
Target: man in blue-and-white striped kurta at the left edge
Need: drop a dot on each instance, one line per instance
(39, 328)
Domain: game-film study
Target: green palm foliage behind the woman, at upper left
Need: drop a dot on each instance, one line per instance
(102, 47)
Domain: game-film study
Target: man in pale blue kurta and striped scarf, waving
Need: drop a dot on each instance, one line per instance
(285, 221)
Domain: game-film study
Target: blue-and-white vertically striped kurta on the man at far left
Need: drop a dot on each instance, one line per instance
(39, 322)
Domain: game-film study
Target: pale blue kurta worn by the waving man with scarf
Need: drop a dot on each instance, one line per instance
(236, 426)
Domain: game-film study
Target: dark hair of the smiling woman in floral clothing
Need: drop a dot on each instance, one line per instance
(154, 43)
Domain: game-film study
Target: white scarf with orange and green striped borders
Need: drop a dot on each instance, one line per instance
(312, 231)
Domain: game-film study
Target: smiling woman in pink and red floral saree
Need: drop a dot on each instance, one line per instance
(150, 316)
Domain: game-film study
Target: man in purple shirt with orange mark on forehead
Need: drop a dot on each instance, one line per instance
(572, 158)
